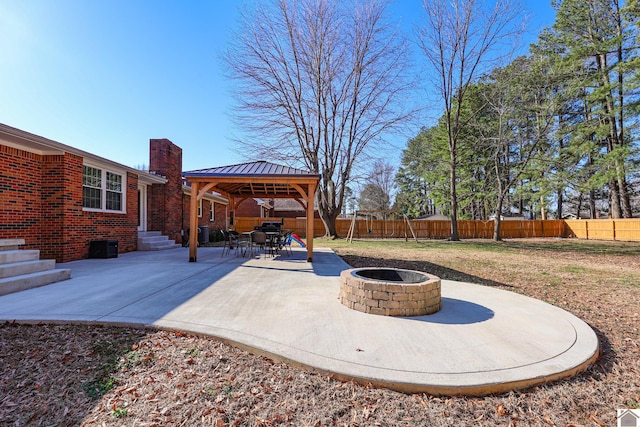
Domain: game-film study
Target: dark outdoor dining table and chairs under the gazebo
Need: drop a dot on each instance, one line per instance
(268, 239)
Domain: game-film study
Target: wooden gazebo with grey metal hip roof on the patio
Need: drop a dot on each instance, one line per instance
(252, 180)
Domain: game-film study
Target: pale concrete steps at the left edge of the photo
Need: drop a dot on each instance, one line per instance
(23, 269)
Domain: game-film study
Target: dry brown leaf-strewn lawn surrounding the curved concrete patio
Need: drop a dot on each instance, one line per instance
(64, 375)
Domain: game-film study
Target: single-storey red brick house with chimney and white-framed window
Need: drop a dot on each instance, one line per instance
(59, 198)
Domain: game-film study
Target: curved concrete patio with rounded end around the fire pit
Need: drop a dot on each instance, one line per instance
(484, 340)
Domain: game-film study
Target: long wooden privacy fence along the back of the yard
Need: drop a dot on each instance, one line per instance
(594, 229)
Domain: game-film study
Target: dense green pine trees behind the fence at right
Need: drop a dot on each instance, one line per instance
(551, 132)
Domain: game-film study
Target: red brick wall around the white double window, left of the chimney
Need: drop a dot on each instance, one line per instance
(41, 202)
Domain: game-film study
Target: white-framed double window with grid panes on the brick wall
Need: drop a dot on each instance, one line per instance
(102, 189)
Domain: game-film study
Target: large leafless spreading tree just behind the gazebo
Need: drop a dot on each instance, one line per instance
(319, 82)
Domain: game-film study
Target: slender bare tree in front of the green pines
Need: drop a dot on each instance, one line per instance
(461, 40)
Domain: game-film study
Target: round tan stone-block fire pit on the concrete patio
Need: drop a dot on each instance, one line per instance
(390, 291)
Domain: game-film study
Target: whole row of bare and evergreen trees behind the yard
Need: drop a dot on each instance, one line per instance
(323, 84)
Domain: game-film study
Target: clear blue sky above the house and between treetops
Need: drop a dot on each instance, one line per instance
(105, 76)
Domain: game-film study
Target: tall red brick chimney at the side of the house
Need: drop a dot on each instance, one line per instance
(165, 201)
